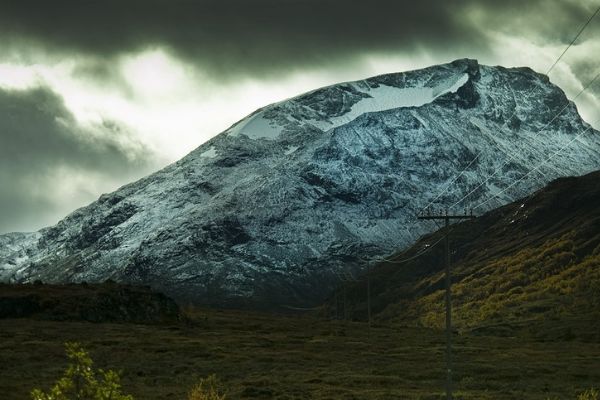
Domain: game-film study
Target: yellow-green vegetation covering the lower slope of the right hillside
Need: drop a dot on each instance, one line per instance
(537, 284)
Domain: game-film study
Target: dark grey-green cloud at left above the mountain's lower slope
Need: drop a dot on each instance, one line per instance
(42, 148)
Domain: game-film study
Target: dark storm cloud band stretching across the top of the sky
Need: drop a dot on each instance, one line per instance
(229, 37)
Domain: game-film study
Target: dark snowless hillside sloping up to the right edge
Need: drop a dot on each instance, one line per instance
(532, 266)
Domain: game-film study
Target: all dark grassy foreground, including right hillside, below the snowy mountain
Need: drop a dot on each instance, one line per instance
(526, 292)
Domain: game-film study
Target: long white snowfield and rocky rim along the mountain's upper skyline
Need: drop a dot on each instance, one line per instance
(382, 93)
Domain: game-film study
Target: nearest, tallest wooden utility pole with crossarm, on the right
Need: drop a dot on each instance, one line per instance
(447, 217)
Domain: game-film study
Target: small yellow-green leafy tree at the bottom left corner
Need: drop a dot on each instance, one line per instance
(81, 382)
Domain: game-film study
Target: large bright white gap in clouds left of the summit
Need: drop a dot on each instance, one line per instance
(169, 106)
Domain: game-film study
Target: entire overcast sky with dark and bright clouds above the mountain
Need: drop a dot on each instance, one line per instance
(94, 94)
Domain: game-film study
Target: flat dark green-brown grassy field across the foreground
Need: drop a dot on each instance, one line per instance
(260, 356)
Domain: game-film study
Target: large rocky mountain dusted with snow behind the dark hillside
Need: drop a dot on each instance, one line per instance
(270, 212)
